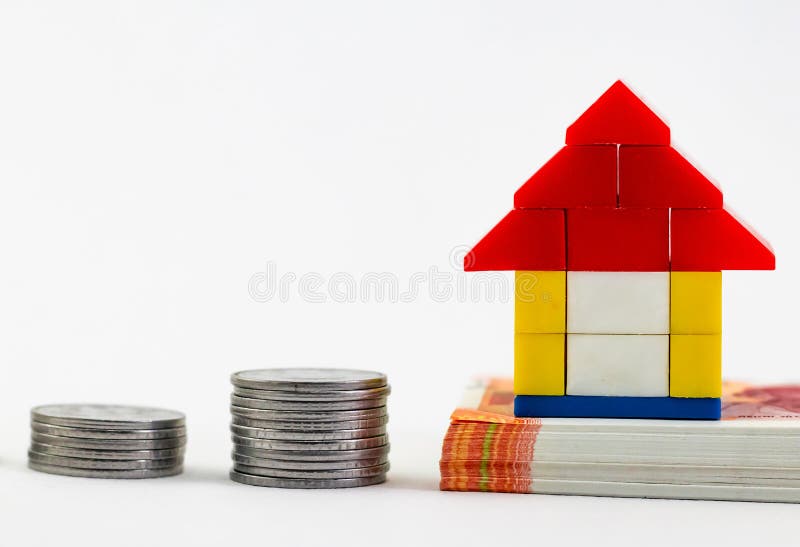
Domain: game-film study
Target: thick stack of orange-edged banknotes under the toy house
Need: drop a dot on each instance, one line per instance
(752, 454)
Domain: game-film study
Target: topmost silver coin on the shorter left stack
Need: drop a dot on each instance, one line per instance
(107, 416)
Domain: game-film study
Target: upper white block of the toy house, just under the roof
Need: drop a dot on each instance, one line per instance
(618, 302)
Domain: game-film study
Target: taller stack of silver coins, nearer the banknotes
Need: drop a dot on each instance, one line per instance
(309, 428)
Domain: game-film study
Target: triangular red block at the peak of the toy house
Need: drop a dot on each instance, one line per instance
(618, 117)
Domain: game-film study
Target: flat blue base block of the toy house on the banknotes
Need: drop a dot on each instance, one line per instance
(573, 406)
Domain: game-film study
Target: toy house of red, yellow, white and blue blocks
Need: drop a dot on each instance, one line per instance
(618, 244)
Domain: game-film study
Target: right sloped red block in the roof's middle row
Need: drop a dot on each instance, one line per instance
(658, 176)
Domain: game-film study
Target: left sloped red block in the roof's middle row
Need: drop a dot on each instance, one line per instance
(577, 176)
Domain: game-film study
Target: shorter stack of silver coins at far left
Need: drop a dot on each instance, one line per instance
(107, 441)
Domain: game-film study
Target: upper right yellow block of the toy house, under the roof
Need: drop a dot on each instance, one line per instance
(696, 303)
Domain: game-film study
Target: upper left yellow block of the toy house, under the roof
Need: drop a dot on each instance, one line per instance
(540, 302)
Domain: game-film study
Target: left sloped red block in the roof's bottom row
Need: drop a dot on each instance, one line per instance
(526, 239)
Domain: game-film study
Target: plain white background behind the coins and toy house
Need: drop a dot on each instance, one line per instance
(155, 155)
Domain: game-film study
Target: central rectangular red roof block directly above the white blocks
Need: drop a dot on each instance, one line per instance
(635, 240)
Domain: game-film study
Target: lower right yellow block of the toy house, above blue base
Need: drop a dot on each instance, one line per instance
(695, 365)
